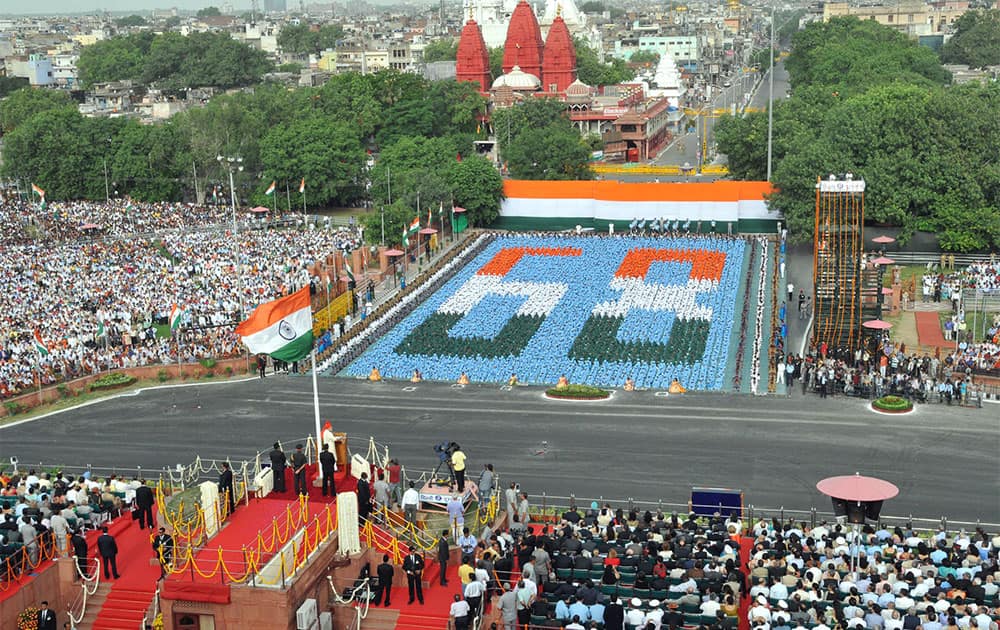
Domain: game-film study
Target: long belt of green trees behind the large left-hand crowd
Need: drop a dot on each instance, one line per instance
(327, 135)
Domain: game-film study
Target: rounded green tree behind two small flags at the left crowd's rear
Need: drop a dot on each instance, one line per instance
(326, 153)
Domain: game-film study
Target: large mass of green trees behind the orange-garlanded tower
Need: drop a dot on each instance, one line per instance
(929, 152)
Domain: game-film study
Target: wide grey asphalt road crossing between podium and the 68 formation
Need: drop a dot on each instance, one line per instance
(944, 459)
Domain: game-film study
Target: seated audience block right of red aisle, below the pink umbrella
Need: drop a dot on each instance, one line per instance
(833, 578)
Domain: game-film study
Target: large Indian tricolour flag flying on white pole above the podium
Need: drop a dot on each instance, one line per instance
(282, 328)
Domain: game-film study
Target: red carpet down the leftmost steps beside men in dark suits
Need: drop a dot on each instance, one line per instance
(132, 594)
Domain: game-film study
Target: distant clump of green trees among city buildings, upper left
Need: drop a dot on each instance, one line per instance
(173, 62)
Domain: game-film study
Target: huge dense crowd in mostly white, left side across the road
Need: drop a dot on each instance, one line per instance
(68, 291)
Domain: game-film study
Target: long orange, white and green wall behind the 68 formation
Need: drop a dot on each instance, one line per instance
(562, 205)
